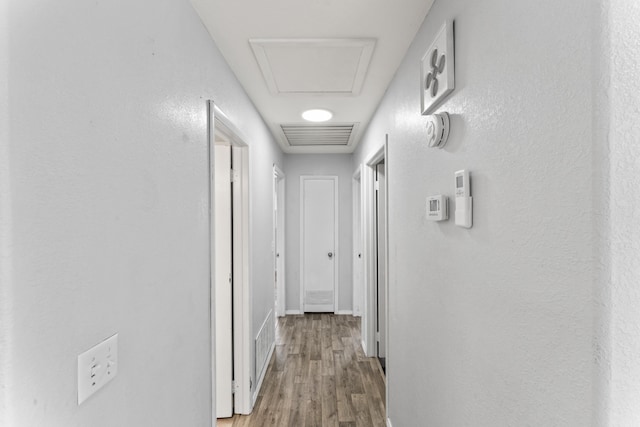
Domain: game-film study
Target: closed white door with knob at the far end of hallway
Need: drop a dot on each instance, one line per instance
(319, 243)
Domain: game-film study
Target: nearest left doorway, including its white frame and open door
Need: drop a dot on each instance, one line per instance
(229, 266)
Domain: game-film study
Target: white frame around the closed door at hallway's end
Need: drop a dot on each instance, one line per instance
(336, 249)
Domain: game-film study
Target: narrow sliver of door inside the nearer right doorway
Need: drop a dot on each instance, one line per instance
(381, 242)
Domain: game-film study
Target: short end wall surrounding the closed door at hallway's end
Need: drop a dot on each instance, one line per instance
(318, 164)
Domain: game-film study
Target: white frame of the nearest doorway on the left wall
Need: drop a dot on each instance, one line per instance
(217, 122)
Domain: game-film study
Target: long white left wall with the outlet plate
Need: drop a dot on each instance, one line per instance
(104, 192)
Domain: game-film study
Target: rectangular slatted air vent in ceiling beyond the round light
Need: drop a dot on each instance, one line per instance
(310, 135)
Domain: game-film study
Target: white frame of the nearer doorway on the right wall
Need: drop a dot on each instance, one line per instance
(370, 274)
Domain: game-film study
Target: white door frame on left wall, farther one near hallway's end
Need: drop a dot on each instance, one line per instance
(279, 251)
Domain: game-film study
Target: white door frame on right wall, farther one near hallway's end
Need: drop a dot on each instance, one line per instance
(358, 234)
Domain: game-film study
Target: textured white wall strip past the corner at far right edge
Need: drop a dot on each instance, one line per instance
(624, 144)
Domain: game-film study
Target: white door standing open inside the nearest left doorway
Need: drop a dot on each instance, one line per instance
(223, 281)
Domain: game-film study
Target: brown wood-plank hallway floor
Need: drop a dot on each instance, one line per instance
(318, 376)
